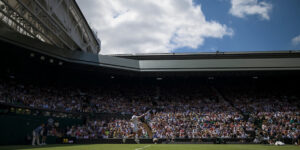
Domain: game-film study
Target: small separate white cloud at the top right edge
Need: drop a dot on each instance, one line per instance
(241, 8)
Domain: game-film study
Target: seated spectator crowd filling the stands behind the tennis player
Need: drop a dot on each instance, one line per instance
(181, 111)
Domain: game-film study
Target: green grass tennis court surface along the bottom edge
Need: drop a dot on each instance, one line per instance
(153, 147)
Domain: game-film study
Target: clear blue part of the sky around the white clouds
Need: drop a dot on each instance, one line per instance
(252, 33)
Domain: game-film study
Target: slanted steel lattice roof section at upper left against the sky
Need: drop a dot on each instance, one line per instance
(59, 23)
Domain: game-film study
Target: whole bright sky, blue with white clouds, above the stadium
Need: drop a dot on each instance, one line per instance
(147, 26)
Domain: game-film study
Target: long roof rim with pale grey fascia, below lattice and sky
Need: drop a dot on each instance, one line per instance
(157, 63)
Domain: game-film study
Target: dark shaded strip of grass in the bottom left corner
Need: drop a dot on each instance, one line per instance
(27, 147)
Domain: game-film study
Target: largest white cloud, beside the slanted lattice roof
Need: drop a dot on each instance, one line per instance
(150, 26)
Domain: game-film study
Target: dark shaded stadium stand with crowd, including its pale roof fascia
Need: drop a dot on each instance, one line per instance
(246, 97)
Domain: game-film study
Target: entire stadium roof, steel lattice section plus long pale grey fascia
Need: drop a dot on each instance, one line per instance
(58, 30)
